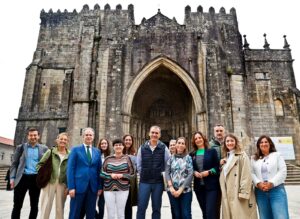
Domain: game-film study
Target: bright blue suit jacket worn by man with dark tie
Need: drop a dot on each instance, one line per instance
(81, 173)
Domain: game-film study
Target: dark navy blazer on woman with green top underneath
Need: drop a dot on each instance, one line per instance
(211, 160)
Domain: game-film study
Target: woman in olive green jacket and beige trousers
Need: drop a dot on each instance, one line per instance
(56, 187)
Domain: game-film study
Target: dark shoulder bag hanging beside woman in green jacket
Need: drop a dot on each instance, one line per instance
(44, 173)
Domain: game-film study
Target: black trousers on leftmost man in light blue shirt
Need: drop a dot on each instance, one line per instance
(27, 182)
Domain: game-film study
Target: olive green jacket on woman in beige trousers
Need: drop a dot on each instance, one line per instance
(62, 178)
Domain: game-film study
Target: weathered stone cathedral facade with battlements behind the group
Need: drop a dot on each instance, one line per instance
(98, 68)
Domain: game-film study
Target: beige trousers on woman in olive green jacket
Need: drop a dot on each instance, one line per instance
(47, 196)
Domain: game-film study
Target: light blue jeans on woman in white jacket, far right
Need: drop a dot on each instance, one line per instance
(272, 204)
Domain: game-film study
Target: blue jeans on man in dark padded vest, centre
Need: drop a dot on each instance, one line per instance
(145, 190)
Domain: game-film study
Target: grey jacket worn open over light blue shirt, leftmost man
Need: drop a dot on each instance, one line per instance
(19, 160)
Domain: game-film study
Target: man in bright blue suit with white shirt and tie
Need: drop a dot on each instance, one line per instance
(83, 174)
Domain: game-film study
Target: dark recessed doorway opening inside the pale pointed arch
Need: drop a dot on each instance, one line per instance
(164, 100)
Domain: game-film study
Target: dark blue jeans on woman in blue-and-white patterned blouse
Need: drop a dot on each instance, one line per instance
(181, 206)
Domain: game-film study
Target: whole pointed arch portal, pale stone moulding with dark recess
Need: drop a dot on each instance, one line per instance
(164, 94)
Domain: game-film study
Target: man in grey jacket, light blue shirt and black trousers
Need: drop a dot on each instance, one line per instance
(23, 173)
